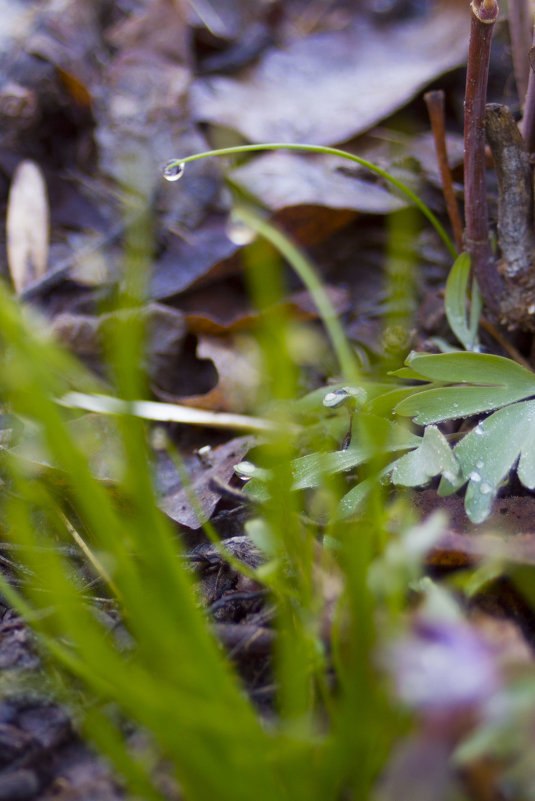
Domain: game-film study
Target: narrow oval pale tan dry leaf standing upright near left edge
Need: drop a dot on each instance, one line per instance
(28, 223)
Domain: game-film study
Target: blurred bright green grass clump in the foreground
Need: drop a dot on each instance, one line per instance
(333, 722)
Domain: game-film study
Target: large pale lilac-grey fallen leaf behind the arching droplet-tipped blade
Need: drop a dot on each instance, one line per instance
(328, 87)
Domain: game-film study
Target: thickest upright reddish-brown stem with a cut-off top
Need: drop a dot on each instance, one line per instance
(484, 15)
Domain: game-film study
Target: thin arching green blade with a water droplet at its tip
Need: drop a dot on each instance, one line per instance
(177, 163)
